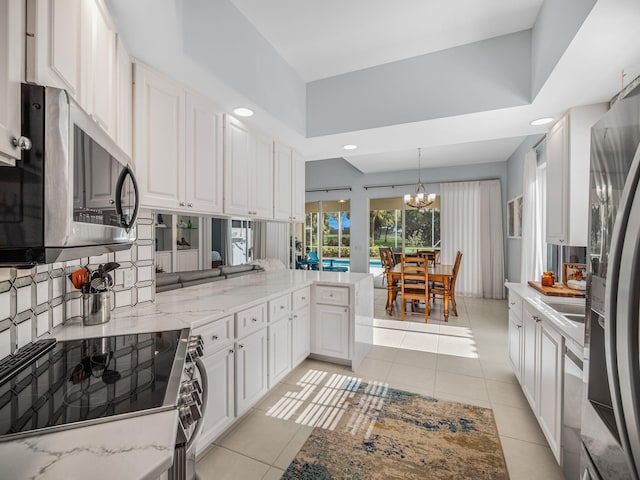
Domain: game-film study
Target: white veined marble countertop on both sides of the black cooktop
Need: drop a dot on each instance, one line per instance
(142, 447)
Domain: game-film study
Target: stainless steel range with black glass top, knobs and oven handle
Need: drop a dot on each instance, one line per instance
(48, 386)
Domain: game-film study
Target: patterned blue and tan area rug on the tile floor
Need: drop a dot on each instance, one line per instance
(382, 433)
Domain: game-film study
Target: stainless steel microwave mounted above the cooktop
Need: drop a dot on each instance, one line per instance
(73, 194)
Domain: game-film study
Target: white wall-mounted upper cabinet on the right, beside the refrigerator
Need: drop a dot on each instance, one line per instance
(568, 160)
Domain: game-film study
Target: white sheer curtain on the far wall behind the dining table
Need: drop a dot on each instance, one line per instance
(471, 221)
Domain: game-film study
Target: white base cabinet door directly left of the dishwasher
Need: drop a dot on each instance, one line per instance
(550, 387)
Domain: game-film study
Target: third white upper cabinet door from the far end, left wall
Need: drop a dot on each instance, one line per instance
(261, 195)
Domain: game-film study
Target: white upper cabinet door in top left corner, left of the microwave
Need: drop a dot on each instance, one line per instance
(11, 72)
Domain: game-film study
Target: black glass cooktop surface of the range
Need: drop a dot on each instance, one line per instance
(91, 379)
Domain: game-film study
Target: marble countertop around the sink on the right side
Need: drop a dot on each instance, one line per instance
(574, 331)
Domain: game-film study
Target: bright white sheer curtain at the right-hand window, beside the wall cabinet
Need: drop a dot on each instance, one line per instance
(533, 249)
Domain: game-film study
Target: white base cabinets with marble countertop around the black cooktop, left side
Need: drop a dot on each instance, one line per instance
(339, 328)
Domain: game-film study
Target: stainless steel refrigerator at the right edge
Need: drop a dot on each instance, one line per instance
(611, 409)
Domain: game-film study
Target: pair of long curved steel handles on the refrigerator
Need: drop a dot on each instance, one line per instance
(621, 326)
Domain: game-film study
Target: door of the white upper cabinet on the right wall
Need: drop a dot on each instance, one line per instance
(557, 185)
